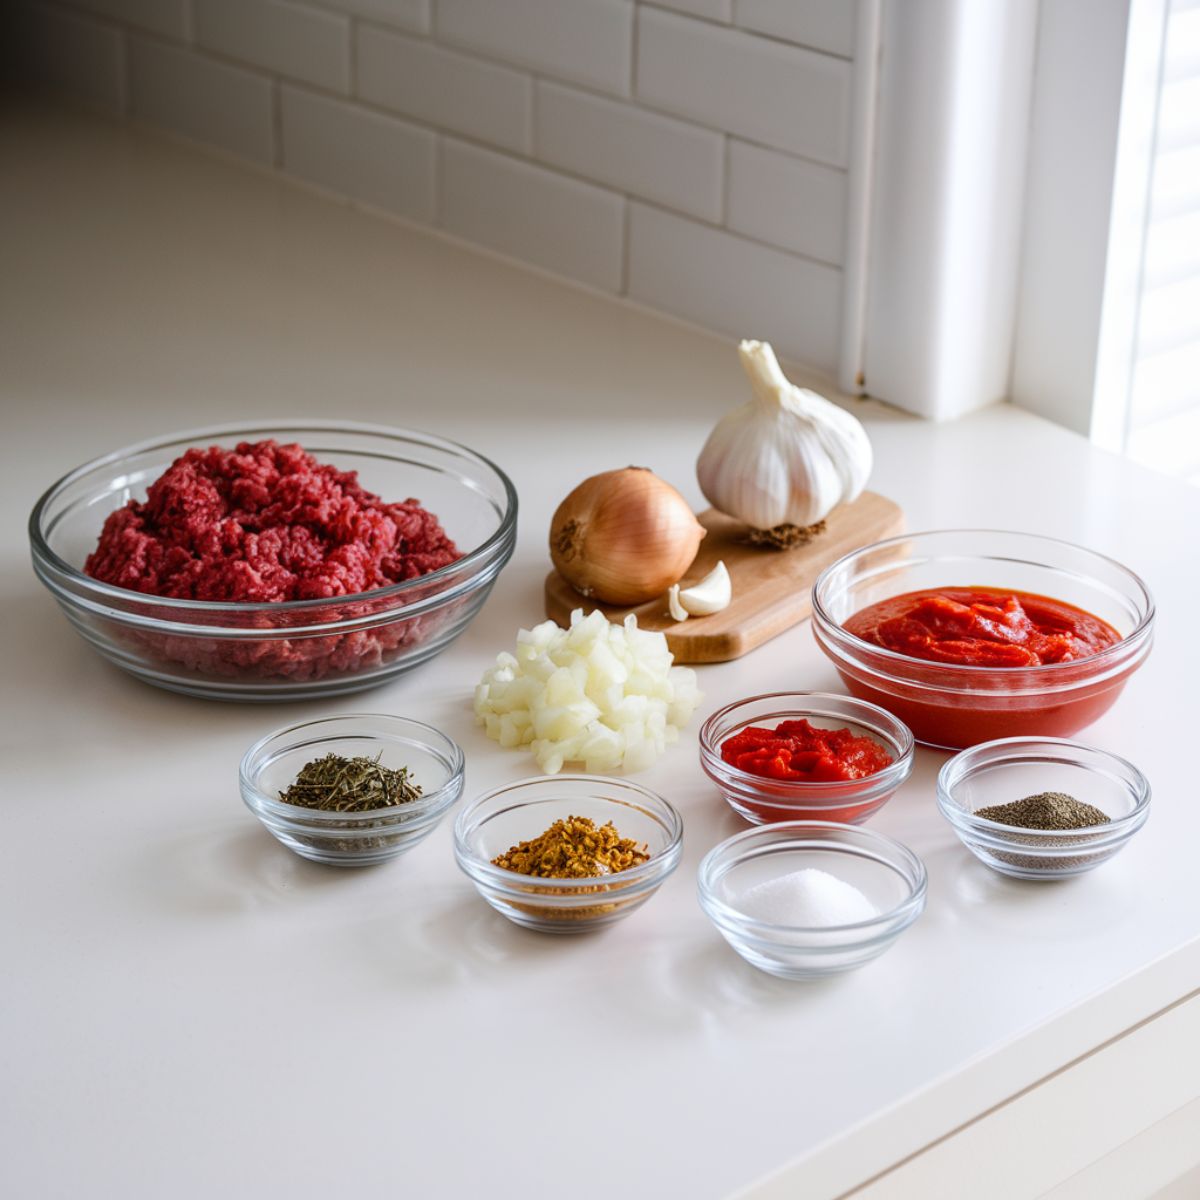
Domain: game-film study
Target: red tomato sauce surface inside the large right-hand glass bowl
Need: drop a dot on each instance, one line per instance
(982, 628)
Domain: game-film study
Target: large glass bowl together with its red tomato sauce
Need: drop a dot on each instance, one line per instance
(1072, 595)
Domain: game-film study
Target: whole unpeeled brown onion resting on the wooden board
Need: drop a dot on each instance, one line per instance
(625, 537)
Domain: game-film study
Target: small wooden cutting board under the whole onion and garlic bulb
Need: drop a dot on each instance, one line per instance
(772, 589)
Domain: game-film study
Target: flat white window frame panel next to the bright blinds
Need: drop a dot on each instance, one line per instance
(1089, 183)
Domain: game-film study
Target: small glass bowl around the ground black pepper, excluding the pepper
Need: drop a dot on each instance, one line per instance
(1012, 769)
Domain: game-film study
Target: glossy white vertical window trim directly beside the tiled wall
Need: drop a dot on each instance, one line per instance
(933, 273)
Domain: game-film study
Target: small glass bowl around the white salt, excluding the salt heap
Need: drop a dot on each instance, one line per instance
(890, 875)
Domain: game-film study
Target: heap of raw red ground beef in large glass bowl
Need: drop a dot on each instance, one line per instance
(267, 523)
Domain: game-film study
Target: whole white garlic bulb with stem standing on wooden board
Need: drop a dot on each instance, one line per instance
(788, 457)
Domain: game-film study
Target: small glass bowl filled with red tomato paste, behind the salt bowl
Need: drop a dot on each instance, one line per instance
(871, 740)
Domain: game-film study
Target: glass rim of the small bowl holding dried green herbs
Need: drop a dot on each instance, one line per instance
(427, 805)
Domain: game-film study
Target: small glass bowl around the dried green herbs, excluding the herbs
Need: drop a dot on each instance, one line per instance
(353, 839)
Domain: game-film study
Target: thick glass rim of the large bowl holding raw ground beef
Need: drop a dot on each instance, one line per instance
(473, 559)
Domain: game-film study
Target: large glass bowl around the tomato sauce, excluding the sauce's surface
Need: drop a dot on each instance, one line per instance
(955, 706)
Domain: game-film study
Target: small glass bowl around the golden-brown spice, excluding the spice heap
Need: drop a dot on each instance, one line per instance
(518, 813)
